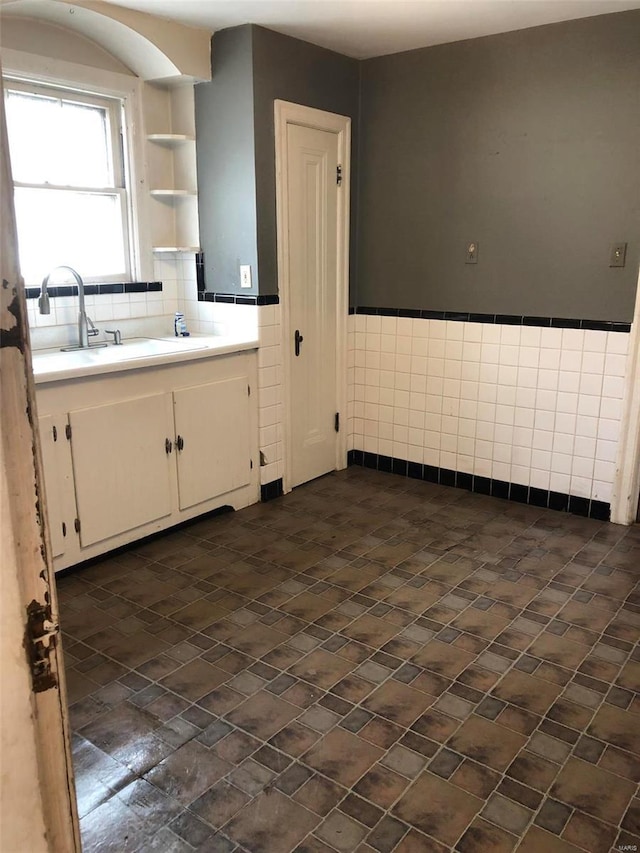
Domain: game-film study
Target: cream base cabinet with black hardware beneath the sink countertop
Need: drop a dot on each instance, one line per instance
(147, 449)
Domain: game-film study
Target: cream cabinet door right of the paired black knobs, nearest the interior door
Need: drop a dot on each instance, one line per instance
(213, 429)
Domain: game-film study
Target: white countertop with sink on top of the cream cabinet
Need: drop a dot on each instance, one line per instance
(53, 365)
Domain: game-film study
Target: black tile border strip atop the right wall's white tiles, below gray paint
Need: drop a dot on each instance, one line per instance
(496, 319)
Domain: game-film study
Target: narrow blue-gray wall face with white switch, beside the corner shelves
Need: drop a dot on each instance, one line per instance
(226, 163)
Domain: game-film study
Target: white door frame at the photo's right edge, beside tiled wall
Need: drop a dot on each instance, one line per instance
(626, 483)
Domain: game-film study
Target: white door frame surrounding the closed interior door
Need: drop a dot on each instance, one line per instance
(286, 113)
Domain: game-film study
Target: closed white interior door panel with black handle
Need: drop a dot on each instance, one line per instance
(312, 200)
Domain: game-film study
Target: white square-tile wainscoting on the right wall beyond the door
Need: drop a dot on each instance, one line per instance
(528, 405)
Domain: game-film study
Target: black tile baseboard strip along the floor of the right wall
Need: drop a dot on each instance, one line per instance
(483, 485)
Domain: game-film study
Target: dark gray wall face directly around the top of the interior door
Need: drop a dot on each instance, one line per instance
(292, 70)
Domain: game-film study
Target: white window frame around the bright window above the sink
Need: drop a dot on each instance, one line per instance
(126, 90)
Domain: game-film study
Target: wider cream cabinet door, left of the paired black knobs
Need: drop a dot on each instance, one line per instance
(121, 468)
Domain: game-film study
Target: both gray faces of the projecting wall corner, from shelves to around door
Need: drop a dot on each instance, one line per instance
(252, 67)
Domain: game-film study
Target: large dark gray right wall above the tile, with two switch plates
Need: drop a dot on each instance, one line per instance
(527, 142)
